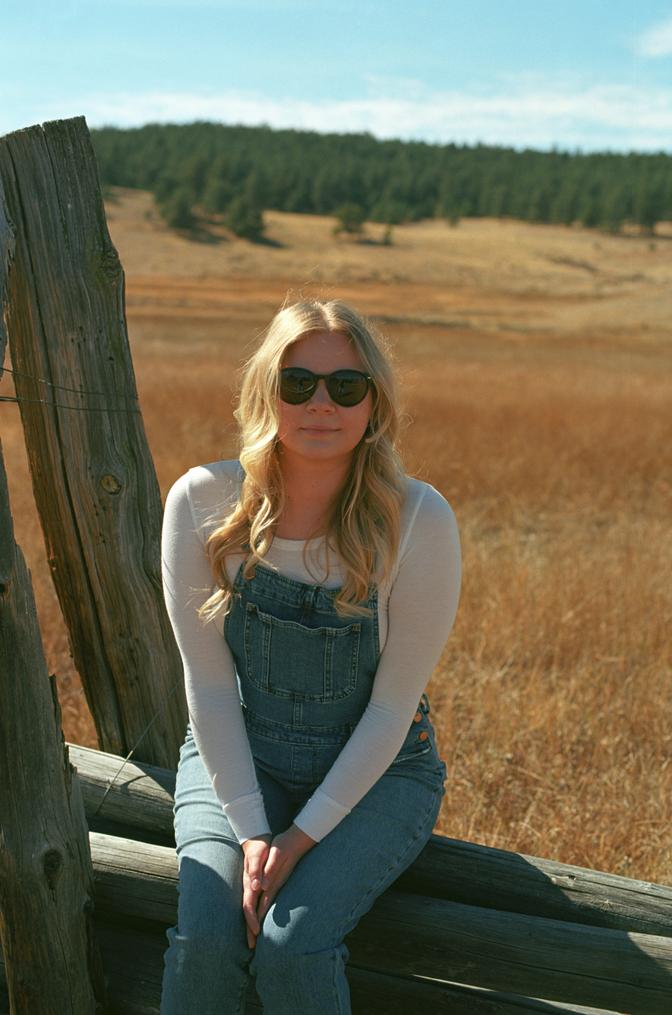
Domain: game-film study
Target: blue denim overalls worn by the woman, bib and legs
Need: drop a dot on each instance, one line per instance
(305, 676)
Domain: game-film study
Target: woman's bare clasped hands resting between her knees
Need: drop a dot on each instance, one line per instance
(268, 864)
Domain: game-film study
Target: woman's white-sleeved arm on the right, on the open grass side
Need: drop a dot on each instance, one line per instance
(423, 606)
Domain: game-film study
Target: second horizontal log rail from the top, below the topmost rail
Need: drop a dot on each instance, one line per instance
(417, 935)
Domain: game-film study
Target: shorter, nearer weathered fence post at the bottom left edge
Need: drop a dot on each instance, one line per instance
(47, 930)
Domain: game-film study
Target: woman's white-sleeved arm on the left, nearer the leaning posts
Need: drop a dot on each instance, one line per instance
(210, 672)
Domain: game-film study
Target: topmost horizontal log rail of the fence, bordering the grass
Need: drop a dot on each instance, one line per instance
(136, 801)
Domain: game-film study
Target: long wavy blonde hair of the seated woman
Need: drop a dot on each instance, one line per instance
(364, 524)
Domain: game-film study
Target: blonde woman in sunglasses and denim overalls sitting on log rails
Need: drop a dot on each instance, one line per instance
(309, 779)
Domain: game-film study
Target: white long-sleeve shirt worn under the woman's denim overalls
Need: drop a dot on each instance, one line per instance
(417, 612)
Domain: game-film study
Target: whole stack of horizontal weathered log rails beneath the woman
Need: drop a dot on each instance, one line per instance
(532, 929)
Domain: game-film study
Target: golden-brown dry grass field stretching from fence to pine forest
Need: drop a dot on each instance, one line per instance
(536, 370)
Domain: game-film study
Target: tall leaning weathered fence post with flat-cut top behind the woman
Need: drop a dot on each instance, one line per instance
(93, 476)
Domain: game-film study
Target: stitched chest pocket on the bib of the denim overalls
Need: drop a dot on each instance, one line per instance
(291, 660)
